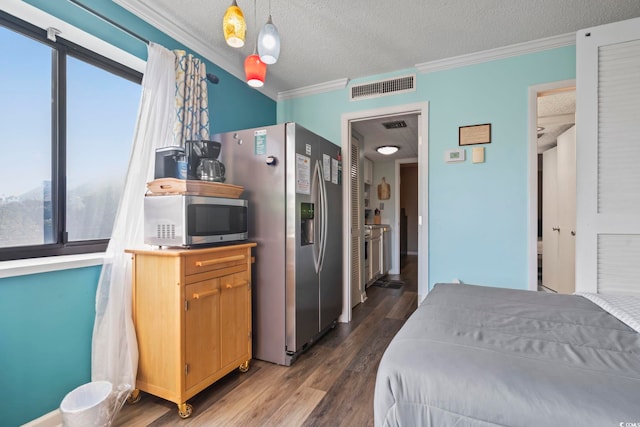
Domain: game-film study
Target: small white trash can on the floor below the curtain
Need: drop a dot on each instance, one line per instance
(94, 404)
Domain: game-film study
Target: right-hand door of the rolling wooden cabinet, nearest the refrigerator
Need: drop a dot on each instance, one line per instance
(235, 318)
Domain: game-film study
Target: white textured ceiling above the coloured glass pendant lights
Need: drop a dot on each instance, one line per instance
(328, 40)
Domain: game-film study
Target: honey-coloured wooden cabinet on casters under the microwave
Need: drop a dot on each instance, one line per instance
(192, 314)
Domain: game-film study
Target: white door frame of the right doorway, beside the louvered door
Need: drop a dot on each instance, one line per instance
(533, 174)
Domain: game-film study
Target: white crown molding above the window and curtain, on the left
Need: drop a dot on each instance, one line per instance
(187, 38)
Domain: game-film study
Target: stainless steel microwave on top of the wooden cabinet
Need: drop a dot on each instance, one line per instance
(186, 221)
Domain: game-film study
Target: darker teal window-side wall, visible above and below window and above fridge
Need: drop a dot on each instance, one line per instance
(46, 320)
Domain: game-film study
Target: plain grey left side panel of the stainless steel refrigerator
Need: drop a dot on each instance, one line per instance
(245, 155)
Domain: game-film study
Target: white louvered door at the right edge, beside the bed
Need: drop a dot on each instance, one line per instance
(608, 159)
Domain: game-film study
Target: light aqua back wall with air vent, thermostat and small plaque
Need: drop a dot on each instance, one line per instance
(478, 227)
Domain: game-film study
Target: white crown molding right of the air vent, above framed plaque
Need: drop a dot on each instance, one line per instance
(498, 53)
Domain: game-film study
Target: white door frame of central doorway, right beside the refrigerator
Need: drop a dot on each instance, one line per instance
(421, 108)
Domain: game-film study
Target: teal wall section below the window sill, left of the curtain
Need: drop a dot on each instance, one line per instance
(46, 323)
